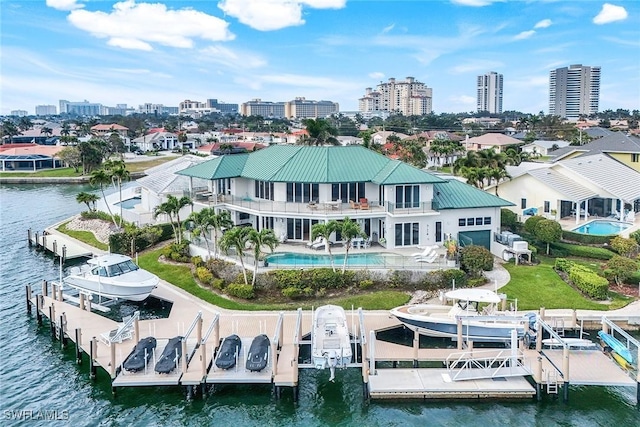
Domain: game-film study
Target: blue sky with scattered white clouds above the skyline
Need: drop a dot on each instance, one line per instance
(165, 51)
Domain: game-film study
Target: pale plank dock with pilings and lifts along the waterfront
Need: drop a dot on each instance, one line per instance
(204, 325)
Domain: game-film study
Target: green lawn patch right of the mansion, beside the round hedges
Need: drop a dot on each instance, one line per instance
(540, 286)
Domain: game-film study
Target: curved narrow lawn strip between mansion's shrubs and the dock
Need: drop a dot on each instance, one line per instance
(181, 277)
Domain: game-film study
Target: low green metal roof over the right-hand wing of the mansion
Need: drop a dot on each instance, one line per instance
(454, 194)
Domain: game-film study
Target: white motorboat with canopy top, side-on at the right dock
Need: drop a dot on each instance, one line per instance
(482, 325)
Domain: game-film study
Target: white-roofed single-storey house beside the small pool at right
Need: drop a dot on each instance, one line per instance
(597, 184)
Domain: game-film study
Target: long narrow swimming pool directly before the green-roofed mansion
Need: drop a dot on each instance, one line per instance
(372, 260)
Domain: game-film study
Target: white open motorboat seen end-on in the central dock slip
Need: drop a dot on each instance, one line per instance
(331, 345)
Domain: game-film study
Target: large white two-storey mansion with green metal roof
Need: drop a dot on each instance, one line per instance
(290, 188)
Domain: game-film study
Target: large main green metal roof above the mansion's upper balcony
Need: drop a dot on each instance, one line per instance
(288, 163)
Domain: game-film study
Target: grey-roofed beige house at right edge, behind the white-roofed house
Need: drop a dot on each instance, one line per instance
(617, 145)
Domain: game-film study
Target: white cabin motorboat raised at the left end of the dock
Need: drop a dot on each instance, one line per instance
(112, 276)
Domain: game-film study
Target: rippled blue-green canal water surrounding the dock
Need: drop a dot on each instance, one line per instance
(37, 375)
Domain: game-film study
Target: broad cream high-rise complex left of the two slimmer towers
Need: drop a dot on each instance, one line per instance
(409, 97)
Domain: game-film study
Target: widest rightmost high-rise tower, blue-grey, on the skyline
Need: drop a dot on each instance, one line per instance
(574, 91)
